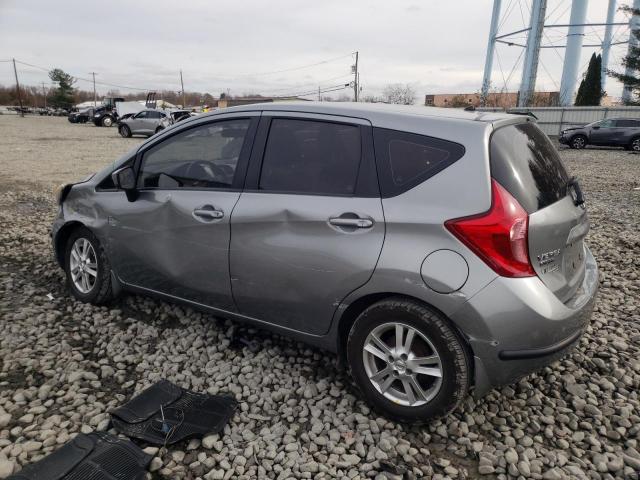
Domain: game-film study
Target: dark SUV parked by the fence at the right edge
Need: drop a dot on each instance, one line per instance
(611, 132)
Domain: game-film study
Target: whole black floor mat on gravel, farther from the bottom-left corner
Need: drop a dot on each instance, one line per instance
(164, 414)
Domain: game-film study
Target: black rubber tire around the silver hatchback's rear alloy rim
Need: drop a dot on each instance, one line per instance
(454, 360)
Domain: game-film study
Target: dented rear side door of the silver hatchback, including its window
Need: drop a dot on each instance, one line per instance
(308, 228)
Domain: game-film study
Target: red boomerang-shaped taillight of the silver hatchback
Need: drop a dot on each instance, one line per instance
(499, 236)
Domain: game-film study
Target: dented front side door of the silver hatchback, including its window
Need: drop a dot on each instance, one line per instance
(174, 237)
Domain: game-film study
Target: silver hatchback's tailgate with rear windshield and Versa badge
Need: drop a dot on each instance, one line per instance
(524, 161)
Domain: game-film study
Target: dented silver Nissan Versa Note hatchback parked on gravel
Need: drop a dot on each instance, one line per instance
(436, 251)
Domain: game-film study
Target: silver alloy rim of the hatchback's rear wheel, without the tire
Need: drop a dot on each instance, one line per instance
(402, 364)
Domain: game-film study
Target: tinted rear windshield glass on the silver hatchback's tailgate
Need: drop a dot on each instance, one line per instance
(525, 162)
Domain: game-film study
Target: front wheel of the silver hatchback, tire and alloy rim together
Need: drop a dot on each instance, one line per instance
(87, 268)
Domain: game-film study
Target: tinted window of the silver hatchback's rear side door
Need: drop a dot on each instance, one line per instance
(307, 156)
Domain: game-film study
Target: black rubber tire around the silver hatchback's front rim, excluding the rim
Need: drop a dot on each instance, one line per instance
(101, 291)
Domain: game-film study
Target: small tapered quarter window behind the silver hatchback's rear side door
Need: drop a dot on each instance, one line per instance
(407, 159)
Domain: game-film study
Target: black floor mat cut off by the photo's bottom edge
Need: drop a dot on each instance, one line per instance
(96, 456)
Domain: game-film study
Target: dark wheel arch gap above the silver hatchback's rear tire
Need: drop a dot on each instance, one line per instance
(358, 306)
